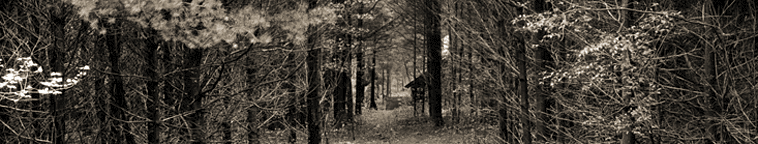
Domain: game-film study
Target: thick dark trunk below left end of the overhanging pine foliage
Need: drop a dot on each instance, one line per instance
(119, 131)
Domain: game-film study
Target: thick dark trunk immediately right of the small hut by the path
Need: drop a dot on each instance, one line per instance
(434, 46)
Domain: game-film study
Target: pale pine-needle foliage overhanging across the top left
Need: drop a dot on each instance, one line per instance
(202, 23)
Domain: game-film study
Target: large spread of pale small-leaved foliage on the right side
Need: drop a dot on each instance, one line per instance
(609, 82)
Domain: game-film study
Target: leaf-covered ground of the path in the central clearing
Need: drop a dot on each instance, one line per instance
(399, 126)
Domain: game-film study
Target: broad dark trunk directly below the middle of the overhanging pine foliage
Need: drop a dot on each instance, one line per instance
(193, 98)
